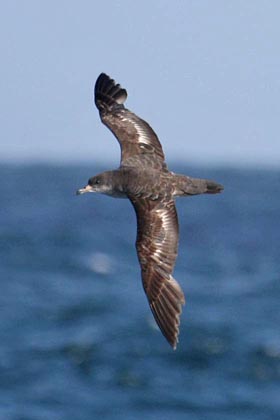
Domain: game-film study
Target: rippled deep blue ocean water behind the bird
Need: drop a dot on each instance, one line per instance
(78, 340)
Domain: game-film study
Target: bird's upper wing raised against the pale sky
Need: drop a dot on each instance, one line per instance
(139, 143)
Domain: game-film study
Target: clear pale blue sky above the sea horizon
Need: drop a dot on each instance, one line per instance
(204, 74)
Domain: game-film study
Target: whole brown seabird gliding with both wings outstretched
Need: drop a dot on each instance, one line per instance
(143, 178)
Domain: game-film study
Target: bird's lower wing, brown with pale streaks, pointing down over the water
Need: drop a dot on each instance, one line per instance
(157, 243)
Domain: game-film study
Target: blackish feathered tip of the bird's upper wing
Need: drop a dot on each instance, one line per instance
(108, 93)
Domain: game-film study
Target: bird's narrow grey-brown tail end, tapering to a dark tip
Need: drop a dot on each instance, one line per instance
(192, 186)
